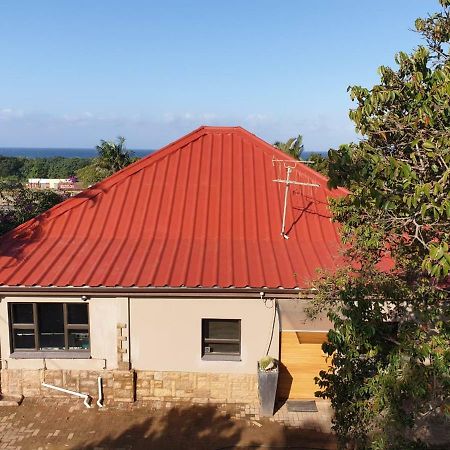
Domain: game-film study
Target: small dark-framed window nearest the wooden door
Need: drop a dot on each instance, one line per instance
(221, 339)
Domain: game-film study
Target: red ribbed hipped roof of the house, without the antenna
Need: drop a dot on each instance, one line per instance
(201, 212)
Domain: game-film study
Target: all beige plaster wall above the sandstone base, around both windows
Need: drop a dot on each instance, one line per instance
(164, 334)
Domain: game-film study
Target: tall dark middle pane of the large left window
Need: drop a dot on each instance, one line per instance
(51, 326)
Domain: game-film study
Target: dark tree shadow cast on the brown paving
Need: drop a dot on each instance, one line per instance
(205, 427)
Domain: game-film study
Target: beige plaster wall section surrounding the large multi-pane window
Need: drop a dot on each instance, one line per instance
(104, 315)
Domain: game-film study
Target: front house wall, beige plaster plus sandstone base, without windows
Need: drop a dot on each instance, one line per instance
(162, 337)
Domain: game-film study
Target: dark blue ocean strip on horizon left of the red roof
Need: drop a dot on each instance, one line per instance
(52, 152)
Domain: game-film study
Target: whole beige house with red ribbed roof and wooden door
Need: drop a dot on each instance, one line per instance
(172, 277)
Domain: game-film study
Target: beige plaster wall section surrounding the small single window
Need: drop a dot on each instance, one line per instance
(166, 333)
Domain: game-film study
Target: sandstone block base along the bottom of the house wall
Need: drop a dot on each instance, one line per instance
(130, 385)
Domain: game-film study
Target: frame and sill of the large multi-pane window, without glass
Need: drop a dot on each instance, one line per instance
(37, 352)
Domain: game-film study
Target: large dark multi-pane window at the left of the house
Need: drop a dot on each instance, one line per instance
(49, 327)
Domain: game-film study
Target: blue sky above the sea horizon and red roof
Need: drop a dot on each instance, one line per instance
(75, 72)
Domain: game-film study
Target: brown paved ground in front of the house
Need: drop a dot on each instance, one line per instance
(66, 424)
